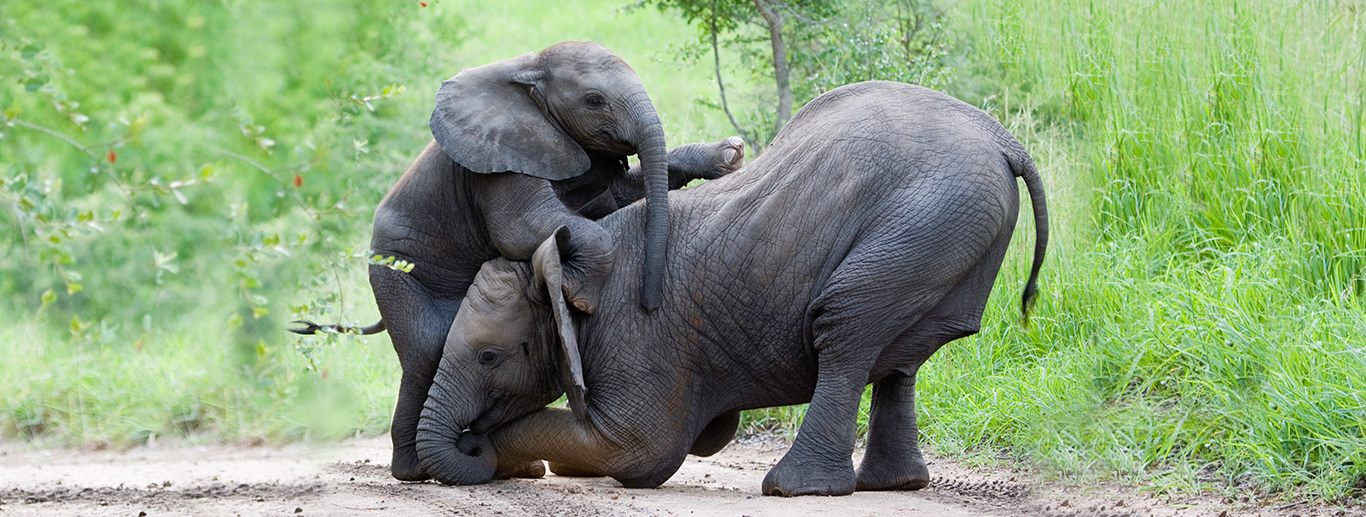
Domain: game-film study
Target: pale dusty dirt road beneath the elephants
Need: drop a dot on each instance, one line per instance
(352, 479)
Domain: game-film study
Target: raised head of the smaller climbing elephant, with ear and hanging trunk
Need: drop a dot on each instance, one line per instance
(548, 116)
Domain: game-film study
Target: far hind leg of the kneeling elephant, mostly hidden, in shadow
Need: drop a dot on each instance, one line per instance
(894, 459)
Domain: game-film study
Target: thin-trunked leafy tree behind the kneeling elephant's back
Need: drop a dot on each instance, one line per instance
(809, 47)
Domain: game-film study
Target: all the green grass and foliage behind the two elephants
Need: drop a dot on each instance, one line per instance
(180, 180)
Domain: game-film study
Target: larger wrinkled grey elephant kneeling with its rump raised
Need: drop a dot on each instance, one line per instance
(863, 241)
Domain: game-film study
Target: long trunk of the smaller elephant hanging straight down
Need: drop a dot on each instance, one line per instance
(655, 165)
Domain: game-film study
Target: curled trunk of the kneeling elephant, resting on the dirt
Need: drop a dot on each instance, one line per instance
(447, 453)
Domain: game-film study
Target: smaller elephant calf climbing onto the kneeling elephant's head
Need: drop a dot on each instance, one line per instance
(565, 121)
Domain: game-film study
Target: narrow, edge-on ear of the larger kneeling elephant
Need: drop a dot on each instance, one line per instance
(546, 262)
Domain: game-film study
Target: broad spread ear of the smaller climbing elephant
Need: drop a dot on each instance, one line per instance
(487, 121)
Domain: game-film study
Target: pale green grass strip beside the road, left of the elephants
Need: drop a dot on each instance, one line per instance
(181, 385)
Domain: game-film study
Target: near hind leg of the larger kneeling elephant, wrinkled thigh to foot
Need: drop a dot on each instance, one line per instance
(880, 291)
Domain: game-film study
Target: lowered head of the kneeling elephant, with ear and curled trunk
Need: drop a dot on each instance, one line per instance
(510, 352)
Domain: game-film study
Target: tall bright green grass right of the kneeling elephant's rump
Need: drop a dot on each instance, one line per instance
(1203, 322)
